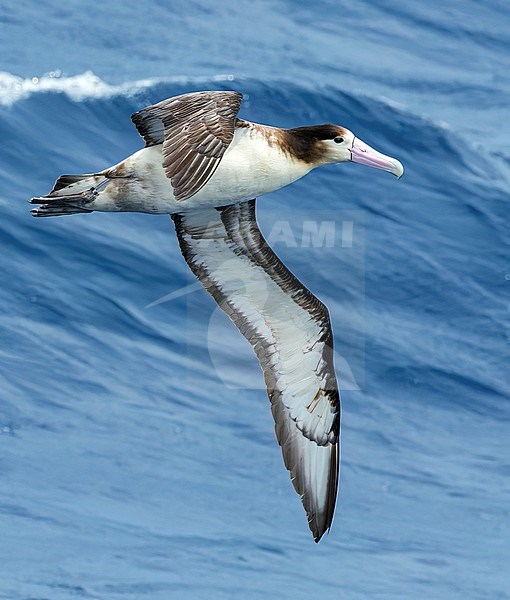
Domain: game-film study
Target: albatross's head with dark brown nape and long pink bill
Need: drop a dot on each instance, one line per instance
(327, 144)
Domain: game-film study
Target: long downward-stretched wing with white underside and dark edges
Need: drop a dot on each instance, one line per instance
(290, 331)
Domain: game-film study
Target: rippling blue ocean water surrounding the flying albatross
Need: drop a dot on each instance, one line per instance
(131, 467)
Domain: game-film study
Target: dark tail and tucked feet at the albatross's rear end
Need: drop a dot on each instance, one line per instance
(71, 195)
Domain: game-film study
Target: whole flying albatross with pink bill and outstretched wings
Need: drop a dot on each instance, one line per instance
(205, 167)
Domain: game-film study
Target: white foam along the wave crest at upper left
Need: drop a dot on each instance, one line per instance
(84, 86)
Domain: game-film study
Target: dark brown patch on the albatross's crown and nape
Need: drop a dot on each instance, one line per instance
(305, 142)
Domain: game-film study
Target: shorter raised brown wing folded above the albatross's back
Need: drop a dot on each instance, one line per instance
(195, 130)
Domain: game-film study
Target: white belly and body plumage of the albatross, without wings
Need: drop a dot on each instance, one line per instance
(249, 168)
